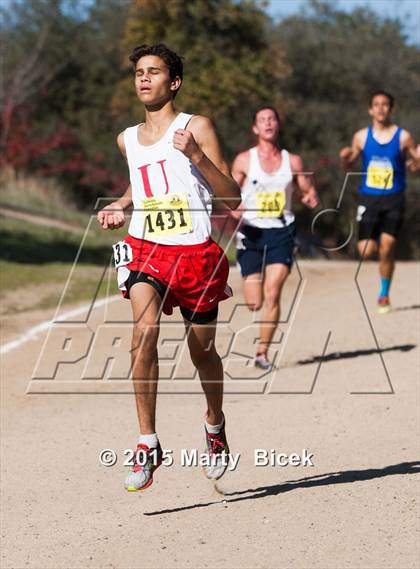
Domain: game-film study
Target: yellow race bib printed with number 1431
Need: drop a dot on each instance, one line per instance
(167, 215)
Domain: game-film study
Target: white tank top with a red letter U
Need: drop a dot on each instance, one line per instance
(160, 177)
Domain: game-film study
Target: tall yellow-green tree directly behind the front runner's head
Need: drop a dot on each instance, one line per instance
(229, 66)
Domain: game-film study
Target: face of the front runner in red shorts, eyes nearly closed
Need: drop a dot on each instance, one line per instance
(152, 81)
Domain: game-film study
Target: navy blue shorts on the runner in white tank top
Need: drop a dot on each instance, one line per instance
(261, 247)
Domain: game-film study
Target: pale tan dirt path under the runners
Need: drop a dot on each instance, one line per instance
(357, 507)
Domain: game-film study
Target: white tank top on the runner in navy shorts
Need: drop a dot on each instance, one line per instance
(259, 183)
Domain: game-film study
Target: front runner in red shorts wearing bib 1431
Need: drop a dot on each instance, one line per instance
(169, 259)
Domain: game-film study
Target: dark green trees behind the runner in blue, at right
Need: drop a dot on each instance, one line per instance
(337, 61)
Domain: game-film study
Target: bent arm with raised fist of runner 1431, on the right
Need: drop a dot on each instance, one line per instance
(201, 146)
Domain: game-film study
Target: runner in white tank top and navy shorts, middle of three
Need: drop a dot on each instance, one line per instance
(268, 176)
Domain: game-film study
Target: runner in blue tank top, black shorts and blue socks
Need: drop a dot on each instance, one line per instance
(383, 146)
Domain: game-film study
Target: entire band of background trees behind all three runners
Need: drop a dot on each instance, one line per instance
(67, 87)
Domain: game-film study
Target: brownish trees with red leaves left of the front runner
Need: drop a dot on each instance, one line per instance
(61, 65)
